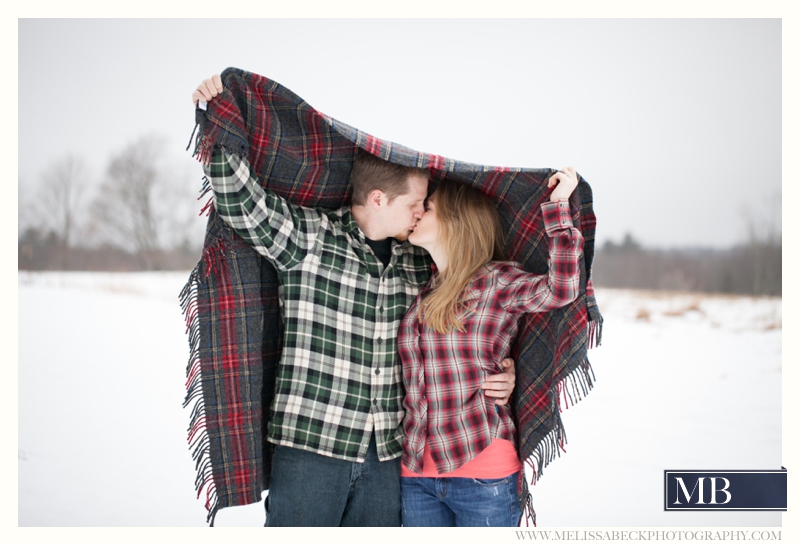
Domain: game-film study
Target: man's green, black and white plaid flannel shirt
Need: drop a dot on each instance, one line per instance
(339, 376)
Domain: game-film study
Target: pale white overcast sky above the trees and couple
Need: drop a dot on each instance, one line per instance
(676, 123)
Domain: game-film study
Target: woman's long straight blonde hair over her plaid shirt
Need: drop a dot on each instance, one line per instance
(471, 235)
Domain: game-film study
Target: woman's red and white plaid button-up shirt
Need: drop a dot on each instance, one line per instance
(444, 402)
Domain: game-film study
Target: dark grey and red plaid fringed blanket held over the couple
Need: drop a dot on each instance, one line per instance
(230, 301)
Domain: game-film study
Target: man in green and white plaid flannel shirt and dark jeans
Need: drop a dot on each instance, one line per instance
(347, 278)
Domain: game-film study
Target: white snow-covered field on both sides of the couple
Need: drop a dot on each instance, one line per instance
(683, 382)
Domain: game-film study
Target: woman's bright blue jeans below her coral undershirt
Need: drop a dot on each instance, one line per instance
(460, 501)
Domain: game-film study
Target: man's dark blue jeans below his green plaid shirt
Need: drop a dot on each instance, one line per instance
(309, 489)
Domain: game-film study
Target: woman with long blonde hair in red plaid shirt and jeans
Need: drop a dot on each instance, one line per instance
(460, 466)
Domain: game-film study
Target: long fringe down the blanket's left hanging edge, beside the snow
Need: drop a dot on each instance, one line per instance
(198, 437)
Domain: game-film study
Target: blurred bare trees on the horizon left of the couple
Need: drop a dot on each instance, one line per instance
(139, 214)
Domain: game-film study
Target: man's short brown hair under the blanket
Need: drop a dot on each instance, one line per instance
(371, 172)
